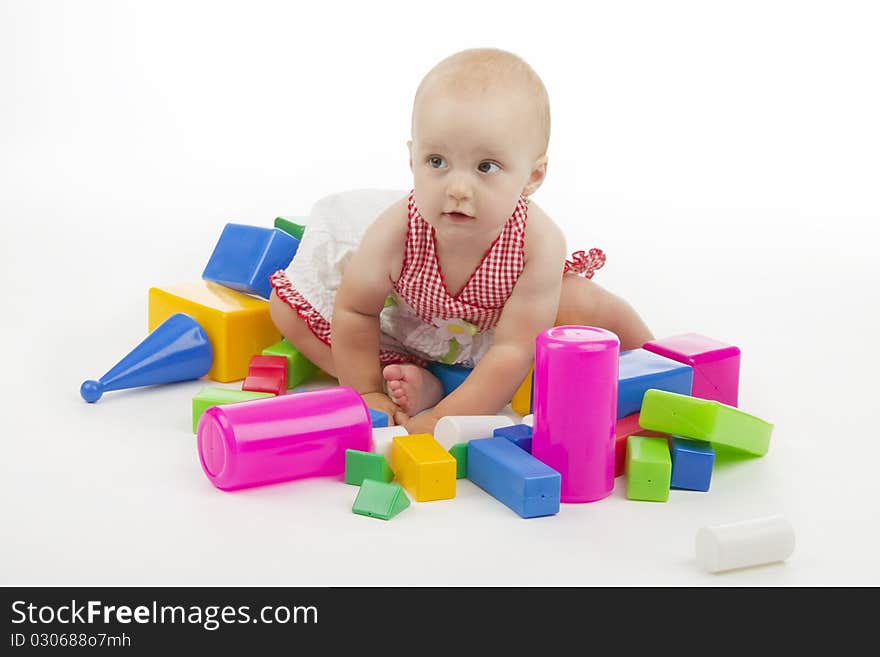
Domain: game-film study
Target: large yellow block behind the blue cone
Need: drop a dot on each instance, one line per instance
(238, 325)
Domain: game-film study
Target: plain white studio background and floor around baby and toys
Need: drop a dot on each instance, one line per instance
(725, 156)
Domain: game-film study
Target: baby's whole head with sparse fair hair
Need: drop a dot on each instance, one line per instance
(480, 129)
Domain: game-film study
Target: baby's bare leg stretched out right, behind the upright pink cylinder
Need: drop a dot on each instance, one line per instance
(584, 303)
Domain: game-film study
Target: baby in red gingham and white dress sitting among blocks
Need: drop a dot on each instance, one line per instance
(465, 269)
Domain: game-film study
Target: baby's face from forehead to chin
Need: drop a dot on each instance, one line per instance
(472, 156)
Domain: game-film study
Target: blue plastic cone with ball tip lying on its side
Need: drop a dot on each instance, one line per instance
(176, 350)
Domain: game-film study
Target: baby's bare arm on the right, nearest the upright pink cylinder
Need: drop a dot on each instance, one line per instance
(530, 310)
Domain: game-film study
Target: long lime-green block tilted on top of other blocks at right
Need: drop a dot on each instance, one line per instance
(706, 420)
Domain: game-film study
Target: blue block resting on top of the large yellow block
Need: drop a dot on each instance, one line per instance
(245, 257)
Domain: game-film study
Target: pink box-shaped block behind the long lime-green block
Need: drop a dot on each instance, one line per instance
(715, 364)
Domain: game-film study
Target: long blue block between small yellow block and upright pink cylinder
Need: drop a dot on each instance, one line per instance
(514, 477)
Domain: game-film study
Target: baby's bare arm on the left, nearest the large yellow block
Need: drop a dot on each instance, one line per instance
(366, 283)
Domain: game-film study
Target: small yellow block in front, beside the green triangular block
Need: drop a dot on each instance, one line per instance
(423, 467)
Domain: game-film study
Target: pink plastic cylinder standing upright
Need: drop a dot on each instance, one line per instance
(575, 405)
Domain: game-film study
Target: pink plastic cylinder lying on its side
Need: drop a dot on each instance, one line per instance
(275, 439)
